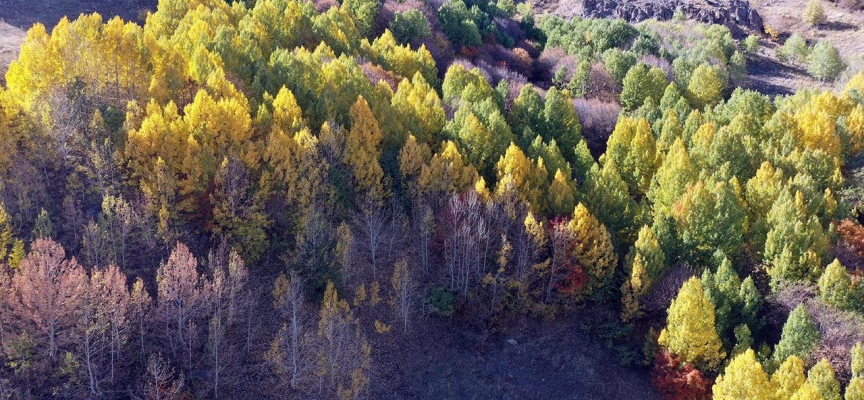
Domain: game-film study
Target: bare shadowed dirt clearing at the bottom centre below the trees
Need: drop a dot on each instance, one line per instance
(534, 360)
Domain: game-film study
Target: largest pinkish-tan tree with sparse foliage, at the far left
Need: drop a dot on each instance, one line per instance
(46, 291)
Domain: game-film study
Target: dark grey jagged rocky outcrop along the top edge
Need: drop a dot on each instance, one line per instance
(732, 13)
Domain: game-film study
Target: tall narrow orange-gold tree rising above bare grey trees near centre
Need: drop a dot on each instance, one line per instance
(363, 146)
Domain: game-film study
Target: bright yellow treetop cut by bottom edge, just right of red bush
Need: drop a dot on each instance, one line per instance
(743, 379)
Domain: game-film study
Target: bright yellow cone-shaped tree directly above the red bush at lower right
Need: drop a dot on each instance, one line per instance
(690, 329)
